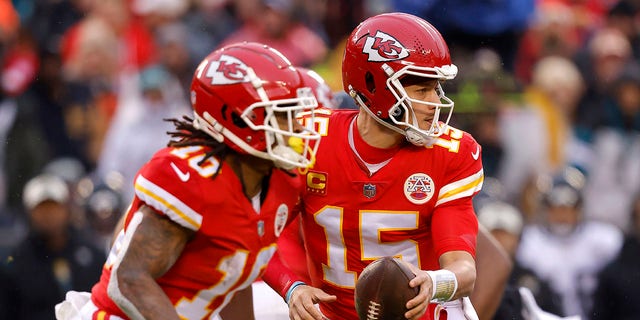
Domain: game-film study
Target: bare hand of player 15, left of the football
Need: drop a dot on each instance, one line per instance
(303, 300)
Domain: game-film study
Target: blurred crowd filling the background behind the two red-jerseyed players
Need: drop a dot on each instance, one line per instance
(549, 88)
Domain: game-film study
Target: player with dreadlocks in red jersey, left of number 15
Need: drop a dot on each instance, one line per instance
(208, 208)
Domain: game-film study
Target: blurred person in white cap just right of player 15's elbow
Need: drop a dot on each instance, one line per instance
(505, 222)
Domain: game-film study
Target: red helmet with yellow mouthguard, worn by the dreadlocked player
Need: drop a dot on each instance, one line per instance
(238, 93)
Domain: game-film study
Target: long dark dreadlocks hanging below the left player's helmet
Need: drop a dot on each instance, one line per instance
(186, 135)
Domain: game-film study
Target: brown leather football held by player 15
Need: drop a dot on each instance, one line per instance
(382, 290)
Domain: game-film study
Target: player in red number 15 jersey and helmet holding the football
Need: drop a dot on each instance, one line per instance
(390, 179)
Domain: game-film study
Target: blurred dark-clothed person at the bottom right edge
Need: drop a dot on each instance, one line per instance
(618, 292)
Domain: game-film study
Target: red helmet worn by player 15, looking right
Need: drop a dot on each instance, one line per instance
(382, 50)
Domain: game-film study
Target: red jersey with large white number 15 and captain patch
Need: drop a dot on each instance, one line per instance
(417, 205)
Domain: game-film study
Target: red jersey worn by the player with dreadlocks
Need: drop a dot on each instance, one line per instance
(232, 244)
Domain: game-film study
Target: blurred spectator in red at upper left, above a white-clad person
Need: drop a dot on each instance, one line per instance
(102, 55)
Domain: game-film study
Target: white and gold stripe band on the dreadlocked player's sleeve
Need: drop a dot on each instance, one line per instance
(168, 204)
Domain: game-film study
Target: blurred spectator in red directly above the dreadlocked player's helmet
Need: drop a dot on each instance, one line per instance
(275, 25)
